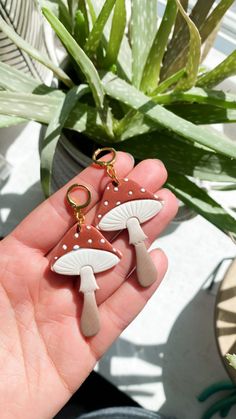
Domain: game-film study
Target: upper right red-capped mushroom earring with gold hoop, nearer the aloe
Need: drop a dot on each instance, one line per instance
(126, 204)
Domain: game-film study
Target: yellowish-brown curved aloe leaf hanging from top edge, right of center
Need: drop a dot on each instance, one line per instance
(194, 53)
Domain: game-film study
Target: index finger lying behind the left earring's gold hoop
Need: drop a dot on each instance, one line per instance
(44, 227)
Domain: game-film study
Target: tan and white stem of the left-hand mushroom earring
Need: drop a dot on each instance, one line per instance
(89, 321)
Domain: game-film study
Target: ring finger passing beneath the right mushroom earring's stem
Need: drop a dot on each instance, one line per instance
(153, 228)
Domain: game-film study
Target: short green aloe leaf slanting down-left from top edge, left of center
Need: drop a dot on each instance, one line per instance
(98, 27)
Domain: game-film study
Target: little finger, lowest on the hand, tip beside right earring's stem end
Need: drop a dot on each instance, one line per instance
(118, 311)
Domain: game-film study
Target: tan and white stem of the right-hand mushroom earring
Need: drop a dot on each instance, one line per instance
(145, 268)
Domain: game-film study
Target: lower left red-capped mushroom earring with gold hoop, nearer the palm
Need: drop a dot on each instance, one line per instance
(84, 251)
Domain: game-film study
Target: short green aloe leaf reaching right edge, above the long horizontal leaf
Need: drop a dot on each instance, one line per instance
(225, 69)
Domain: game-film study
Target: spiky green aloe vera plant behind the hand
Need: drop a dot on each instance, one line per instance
(137, 85)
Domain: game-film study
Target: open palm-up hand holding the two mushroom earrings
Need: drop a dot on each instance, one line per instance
(43, 356)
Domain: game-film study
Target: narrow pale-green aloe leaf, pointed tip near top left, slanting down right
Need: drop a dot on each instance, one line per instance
(83, 62)
